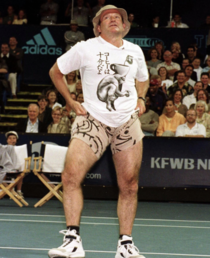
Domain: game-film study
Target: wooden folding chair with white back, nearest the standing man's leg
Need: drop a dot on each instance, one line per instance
(51, 162)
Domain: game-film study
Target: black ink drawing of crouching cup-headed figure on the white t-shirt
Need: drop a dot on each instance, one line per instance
(110, 87)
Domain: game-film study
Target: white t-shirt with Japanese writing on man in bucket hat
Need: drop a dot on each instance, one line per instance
(108, 76)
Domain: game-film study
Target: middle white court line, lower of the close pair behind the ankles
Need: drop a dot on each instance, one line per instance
(105, 224)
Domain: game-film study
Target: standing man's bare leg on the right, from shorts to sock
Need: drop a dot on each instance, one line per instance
(127, 164)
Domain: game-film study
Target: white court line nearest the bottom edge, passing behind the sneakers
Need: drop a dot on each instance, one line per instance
(97, 251)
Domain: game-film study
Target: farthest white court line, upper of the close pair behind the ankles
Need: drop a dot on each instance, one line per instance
(90, 217)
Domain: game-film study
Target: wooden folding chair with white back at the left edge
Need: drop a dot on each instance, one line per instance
(22, 167)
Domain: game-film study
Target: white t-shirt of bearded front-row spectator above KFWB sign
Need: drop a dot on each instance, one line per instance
(197, 129)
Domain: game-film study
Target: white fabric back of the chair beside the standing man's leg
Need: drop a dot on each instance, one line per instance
(54, 158)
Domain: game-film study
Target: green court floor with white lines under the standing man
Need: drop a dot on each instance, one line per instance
(161, 230)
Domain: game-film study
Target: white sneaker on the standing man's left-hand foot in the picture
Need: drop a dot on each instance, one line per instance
(71, 247)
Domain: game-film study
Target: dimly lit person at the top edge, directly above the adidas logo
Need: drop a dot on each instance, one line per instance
(48, 12)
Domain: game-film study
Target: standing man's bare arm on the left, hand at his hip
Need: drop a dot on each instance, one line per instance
(58, 80)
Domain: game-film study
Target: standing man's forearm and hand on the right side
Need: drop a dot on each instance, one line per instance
(142, 88)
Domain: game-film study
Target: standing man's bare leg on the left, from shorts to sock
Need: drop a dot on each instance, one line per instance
(79, 159)
